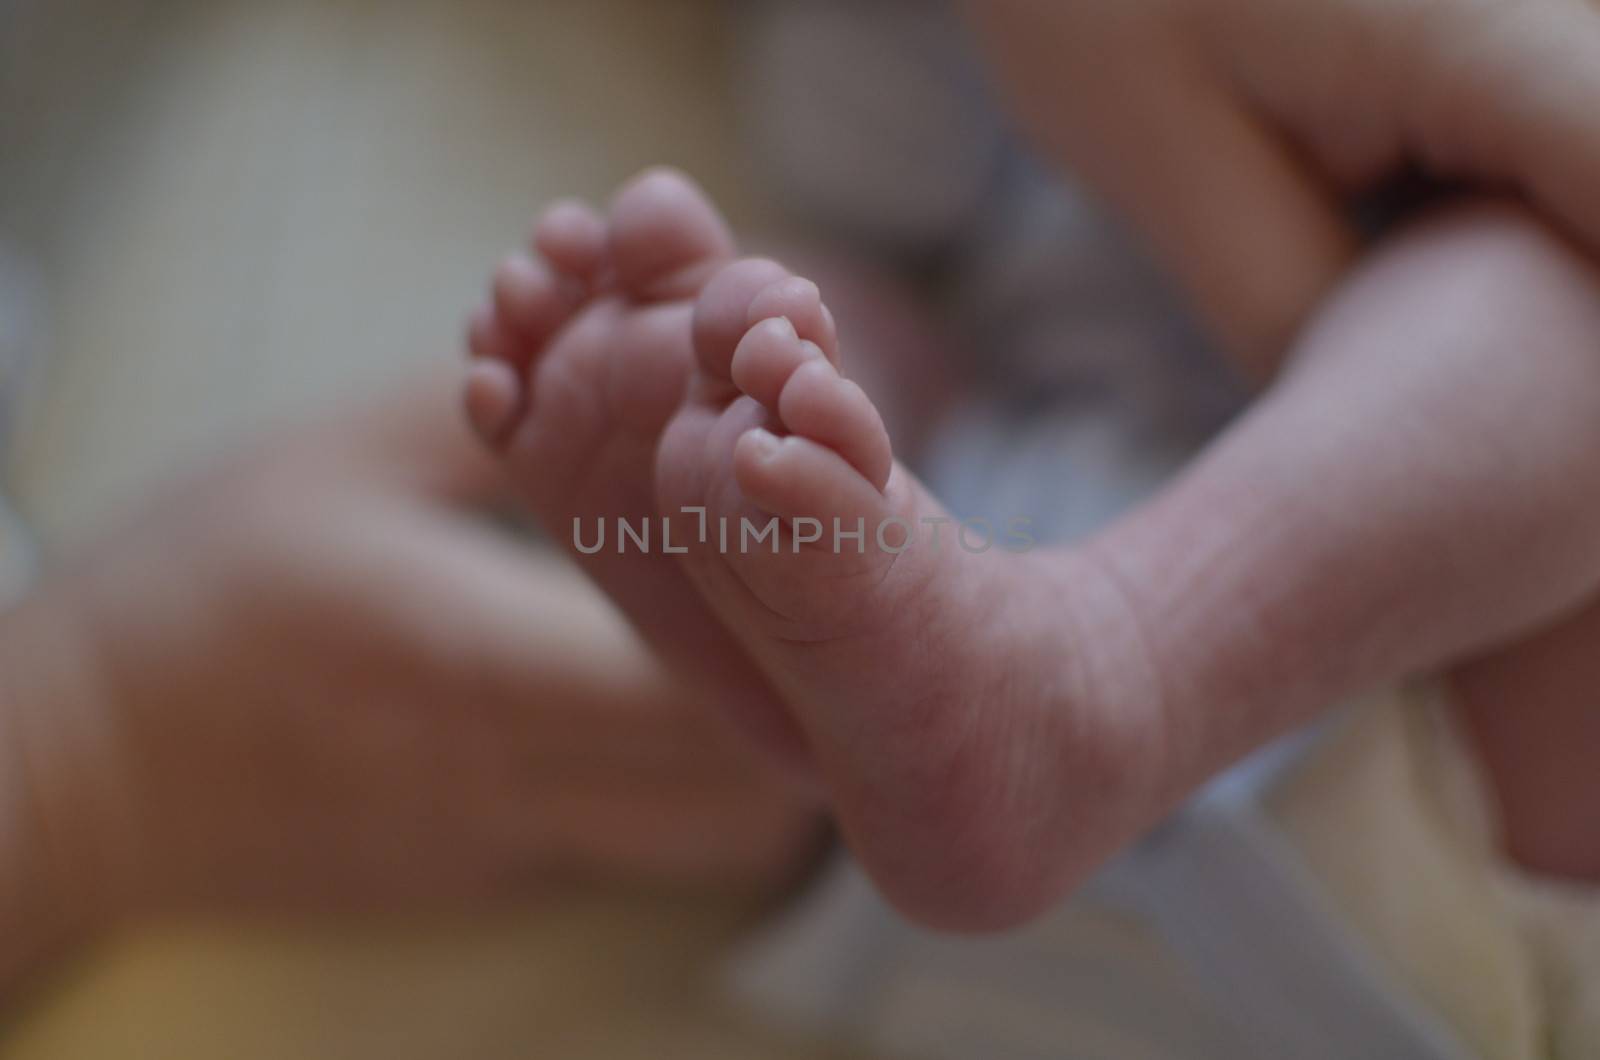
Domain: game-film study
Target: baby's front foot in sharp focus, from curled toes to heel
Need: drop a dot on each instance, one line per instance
(951, 685)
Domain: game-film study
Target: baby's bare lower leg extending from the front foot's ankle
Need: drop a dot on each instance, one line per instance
(1422, 484)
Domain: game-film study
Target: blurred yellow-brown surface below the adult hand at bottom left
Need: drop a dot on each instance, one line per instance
(601, 979)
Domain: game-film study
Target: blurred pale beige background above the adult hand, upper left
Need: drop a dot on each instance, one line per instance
(241, 211)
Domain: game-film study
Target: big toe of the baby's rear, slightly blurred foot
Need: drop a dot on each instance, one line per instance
(666, 238)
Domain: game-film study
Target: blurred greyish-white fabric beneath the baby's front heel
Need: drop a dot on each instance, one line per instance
(1210, 941)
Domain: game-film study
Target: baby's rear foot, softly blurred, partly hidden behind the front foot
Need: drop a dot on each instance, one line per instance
(580, 361)
